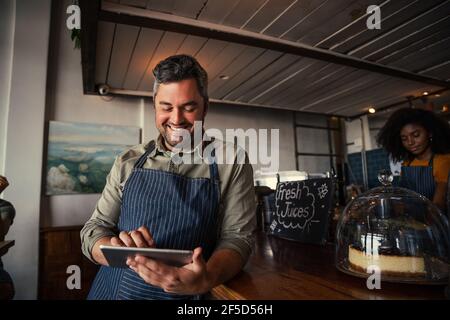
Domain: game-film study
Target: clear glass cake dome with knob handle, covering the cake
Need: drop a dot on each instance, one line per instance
(395, 231)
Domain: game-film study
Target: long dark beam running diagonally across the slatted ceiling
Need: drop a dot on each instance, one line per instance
(117, 13)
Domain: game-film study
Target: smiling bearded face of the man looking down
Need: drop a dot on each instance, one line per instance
(177, 106)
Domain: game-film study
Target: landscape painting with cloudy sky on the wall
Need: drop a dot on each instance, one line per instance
(80, 155)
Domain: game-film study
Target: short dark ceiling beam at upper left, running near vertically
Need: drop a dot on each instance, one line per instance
(89, 21)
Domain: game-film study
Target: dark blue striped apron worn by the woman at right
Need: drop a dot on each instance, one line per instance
(419, 179)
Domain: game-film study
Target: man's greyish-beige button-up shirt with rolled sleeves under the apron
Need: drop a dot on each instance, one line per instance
(237, 210)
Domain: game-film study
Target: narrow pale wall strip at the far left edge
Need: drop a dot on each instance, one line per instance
(7, 17)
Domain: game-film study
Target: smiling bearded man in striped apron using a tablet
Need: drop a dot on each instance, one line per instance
(150, 200)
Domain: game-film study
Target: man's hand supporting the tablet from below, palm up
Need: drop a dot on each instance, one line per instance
(191, 279)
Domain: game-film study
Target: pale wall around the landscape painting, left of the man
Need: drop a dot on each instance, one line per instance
(66, 102)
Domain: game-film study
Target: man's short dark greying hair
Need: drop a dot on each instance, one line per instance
(181, 67)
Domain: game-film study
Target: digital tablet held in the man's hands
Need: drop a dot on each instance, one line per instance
(117, 256)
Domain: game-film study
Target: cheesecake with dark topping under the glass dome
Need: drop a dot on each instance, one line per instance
(390, 262)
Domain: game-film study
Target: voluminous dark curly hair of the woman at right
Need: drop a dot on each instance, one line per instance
(389, 136)
